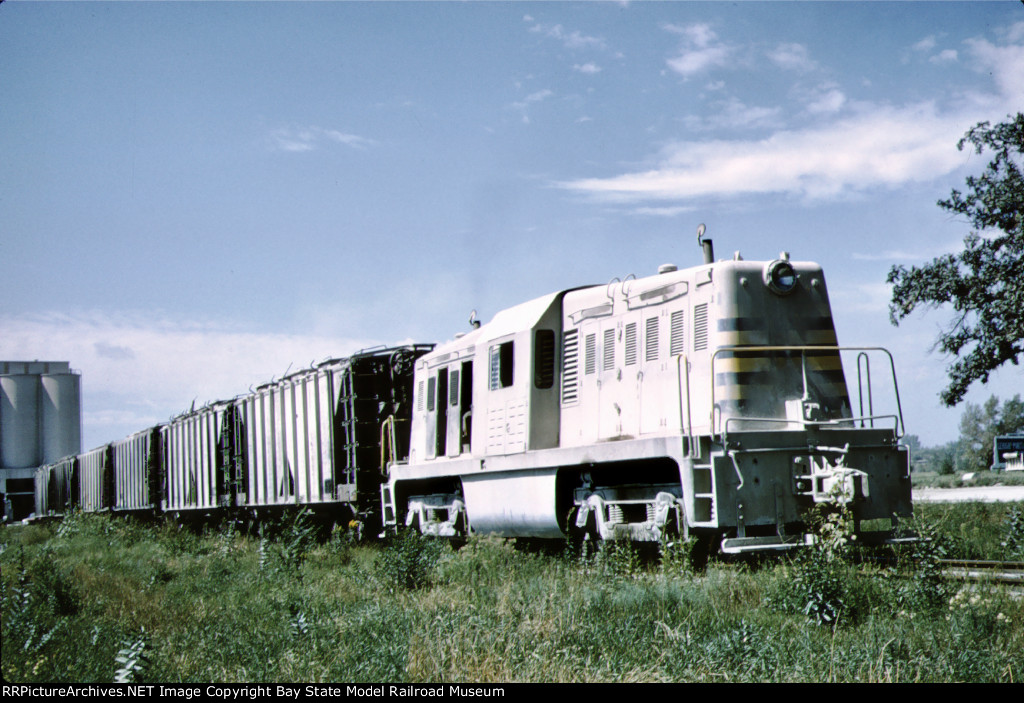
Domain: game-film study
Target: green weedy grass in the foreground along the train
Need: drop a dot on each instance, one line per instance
(96, 599)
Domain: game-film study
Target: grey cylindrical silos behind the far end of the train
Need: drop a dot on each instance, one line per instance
(40, 422)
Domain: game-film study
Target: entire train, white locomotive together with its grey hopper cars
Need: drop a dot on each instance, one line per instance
(709, 403)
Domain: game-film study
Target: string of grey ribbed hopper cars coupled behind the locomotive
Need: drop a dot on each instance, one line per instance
(311, 440)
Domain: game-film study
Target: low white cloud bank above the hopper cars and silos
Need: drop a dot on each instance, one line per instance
(151, 368)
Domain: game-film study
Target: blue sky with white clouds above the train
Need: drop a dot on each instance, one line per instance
(199, 198)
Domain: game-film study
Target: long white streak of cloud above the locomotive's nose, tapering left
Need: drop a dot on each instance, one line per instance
(882, 149)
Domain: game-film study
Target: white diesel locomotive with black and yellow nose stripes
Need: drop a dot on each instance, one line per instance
(709, 402)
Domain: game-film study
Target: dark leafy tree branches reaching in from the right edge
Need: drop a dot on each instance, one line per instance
(986, 282)
